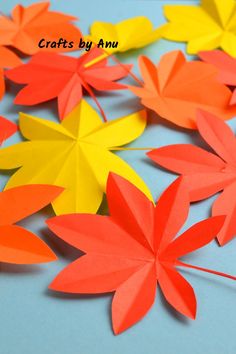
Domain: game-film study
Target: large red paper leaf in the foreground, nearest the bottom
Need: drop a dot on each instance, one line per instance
(132, 250)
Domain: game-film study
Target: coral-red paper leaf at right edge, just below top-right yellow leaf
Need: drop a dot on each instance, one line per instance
(226, 66)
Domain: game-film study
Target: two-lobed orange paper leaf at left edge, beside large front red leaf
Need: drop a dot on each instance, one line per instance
(18, 245)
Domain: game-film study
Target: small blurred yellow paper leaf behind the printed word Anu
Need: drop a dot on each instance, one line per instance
(136, 32)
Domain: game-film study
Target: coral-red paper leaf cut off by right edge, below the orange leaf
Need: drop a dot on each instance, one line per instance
(206, 173)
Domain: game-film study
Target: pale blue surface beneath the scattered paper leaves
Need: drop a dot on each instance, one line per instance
(34, 320)
